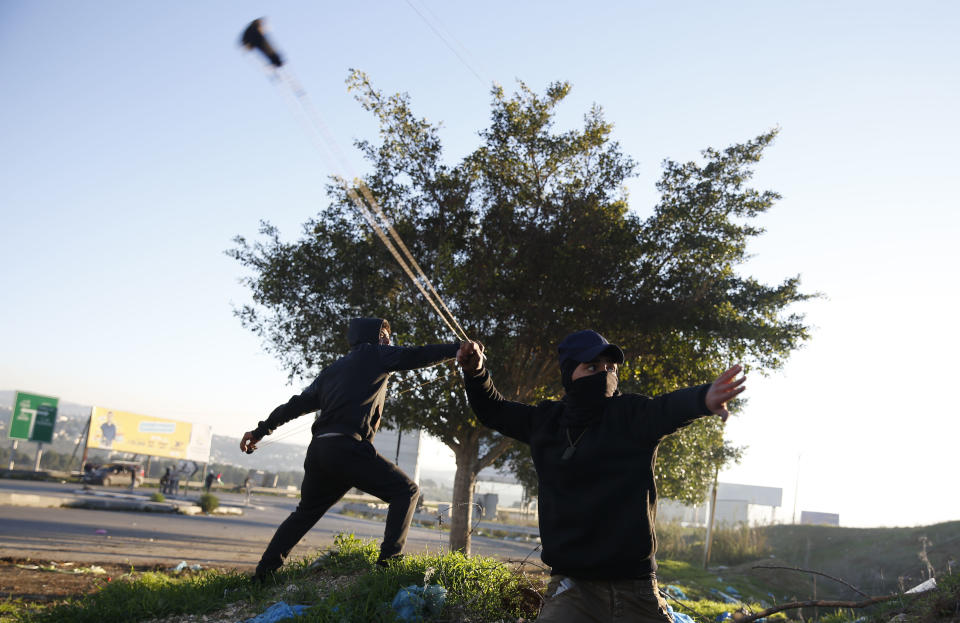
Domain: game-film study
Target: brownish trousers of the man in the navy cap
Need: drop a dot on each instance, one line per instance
(619, 601)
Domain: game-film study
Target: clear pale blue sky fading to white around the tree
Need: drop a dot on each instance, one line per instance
(138, 139)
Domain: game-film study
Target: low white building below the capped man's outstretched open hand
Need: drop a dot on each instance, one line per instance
(736, 503)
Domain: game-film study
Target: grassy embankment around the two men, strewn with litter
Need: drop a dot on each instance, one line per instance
(344, 585)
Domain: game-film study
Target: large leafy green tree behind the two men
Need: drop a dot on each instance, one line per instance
(528, 238)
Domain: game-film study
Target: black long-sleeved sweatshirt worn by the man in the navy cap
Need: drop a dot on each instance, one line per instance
(597, 508)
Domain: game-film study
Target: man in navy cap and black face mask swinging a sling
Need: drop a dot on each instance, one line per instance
(594, 453)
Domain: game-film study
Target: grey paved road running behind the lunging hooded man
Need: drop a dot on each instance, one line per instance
(67, 534)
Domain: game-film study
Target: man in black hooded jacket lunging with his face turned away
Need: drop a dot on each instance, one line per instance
(349, 393)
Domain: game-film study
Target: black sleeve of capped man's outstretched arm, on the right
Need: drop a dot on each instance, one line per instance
(655, 418)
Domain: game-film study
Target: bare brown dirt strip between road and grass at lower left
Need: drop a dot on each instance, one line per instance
(46, 581)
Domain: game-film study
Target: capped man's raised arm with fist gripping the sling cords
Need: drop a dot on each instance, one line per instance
(513, 419)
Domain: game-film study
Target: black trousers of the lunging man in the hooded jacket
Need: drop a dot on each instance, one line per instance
(333, 466)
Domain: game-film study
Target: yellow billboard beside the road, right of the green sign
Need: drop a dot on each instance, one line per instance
(140, 434)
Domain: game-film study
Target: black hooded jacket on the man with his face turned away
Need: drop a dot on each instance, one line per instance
(350, 392)
